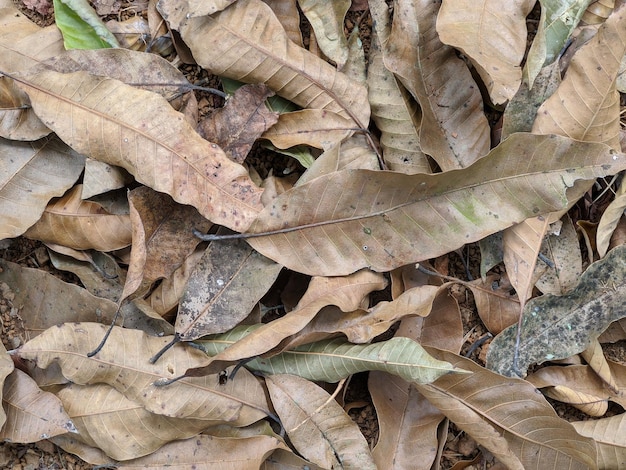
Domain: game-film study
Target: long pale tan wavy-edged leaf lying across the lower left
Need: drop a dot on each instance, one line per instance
(124, 364)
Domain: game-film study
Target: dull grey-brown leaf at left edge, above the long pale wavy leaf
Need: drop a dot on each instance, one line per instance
(42, 300)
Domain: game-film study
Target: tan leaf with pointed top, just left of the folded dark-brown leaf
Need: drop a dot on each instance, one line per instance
(81, 225)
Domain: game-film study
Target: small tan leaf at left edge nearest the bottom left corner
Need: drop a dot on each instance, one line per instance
(32, 414)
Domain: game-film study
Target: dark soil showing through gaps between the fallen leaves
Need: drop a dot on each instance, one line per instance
(458, 449)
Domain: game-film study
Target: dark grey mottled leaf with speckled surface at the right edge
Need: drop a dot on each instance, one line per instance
(556, 327)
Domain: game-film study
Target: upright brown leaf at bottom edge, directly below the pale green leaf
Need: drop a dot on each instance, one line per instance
(407, 424)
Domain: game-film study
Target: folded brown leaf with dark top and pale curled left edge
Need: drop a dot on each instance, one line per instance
(159, 246)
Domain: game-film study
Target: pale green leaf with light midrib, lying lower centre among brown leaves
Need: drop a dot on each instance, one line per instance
(335, 359)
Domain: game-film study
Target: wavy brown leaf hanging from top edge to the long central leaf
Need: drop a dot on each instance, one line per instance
(454, 131)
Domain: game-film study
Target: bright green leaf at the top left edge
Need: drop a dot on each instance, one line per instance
(81, 27)
